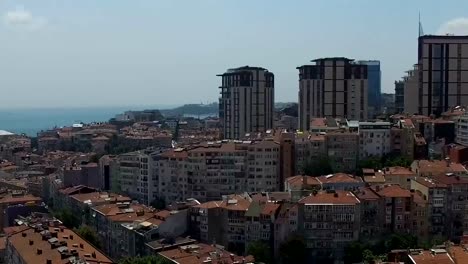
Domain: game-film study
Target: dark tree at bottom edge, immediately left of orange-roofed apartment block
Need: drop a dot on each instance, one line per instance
(293, 250)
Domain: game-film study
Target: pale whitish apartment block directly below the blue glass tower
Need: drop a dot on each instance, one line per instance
(374, 139)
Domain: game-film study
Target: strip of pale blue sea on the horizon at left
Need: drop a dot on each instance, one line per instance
(31, 121)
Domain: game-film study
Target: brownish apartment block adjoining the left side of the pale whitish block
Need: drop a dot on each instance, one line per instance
(343, 150)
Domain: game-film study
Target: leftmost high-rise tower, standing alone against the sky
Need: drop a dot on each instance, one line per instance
(247, 101)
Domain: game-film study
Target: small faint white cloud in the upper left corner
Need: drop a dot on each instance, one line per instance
(20, 18)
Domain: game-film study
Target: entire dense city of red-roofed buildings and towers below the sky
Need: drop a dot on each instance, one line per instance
(346, 175)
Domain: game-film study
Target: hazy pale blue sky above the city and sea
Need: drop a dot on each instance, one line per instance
(68, 53)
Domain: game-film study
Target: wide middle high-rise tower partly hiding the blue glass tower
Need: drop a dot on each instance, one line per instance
(333, 87)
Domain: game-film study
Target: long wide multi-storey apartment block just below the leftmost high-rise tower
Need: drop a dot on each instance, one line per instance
(221, 168)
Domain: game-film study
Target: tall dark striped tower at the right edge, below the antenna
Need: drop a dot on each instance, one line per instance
(443, 73)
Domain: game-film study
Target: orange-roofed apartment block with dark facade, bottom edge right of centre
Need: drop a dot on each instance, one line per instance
(331, 220)
